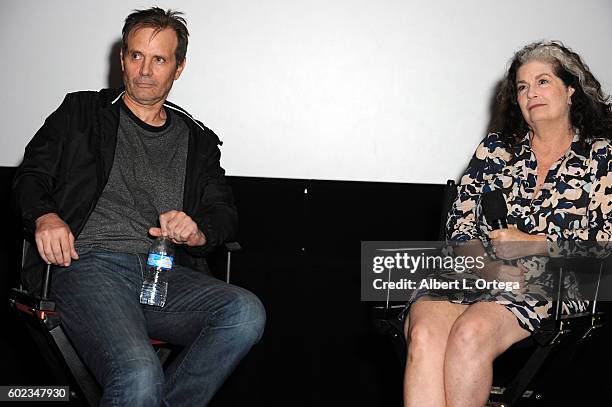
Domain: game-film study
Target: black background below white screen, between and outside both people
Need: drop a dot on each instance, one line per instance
(301, 250)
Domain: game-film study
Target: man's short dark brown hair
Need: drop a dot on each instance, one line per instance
(159, 19)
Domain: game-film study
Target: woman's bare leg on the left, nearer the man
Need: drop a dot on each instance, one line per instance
(427, 328)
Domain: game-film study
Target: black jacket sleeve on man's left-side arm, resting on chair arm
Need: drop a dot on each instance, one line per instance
(35, 179)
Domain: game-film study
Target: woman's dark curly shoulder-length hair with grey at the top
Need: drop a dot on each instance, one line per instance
(590, 112)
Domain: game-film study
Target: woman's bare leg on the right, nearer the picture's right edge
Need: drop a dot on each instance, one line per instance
(480, 334)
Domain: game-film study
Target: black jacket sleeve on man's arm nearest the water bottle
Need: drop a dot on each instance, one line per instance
(216, 215)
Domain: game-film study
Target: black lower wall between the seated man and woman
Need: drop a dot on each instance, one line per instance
(301, 255)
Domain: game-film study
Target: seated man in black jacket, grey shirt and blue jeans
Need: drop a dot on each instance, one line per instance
(104, 170)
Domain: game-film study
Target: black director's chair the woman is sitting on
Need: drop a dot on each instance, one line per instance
(559, 338)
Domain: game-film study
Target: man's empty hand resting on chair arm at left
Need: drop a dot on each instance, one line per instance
(54, 240)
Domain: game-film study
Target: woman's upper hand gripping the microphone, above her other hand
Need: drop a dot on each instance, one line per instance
(512, 244)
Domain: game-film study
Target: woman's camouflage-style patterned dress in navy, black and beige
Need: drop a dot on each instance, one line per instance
(573, 205)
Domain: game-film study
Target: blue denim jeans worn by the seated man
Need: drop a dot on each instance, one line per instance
(217, 323)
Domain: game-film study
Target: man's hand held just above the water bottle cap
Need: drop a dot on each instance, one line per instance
(179, 228)
